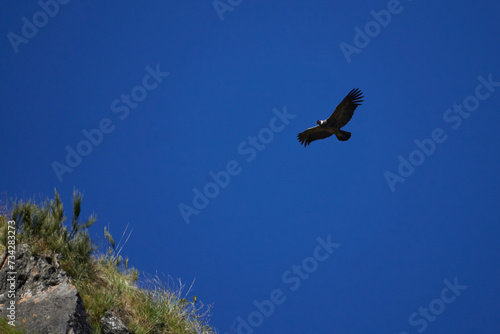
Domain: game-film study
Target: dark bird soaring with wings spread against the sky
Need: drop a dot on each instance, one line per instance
(331, 126)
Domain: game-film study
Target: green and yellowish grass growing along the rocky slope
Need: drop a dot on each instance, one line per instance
(104, 280)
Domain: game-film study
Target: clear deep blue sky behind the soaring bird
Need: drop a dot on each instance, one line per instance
(172, 93)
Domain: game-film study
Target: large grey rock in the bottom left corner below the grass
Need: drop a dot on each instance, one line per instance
(46, 301)
